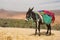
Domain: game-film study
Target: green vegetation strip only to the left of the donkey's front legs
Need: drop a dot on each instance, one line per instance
(16, 23)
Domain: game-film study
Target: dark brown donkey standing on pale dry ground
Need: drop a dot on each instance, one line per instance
(31, 14)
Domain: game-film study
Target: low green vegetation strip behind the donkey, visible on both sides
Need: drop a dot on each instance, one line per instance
(22, 24)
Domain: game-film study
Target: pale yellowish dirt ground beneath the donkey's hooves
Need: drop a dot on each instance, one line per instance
(26, 34)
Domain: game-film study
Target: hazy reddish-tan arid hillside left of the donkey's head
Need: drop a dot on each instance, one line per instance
(12, 14)
